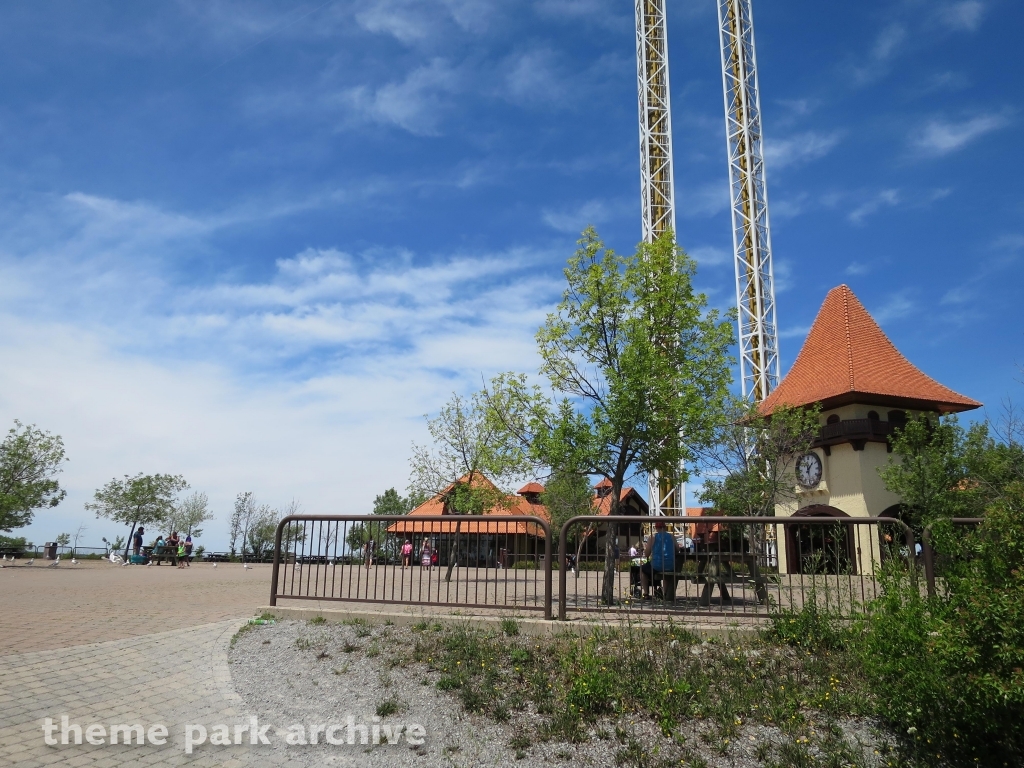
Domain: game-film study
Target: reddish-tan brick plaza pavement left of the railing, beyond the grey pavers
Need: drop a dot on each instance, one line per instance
(44, 609)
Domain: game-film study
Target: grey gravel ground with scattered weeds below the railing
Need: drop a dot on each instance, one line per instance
(296, 673)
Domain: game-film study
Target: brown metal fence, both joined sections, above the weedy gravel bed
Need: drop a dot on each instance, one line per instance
(732, 568)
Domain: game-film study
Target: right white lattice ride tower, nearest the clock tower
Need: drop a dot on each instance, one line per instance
(759, 365)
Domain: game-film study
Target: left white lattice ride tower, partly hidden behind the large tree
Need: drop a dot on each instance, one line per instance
(668, 496)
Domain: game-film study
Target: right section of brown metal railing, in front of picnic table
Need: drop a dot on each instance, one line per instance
(757, 565)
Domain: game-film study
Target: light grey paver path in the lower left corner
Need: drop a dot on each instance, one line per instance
(168, 678)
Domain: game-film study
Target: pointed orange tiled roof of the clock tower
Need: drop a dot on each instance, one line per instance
(847, 359)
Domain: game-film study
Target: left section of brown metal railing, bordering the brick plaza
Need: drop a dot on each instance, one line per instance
(479, 562)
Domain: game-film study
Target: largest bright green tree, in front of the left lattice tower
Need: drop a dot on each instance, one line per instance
(638, 359)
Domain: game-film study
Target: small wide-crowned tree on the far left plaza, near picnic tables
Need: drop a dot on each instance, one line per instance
(143, 500)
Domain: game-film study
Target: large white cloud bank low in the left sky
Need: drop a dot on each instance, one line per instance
(311, 383)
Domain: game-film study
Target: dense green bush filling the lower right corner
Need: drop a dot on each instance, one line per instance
(950, 670)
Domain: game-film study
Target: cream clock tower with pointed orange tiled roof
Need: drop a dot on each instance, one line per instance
(867, 390)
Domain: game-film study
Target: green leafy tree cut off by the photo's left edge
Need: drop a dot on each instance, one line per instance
(30, 461)
